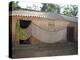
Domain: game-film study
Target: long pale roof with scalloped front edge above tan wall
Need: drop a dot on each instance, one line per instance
(48, 15)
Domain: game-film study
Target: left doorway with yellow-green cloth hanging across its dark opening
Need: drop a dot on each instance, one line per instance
(24, 34)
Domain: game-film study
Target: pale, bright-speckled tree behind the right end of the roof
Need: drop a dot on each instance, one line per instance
(70, 10)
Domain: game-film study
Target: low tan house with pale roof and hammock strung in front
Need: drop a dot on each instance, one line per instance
(43, 26)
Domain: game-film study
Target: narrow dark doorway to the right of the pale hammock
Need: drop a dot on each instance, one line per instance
(70, 34)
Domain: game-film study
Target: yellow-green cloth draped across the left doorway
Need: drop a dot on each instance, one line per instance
(20, 33)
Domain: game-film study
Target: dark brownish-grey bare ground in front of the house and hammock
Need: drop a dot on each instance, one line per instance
(43, 50)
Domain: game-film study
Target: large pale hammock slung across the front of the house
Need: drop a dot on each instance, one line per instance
(47, 36)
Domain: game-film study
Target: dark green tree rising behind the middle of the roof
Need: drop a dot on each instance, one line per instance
(50, 8)
